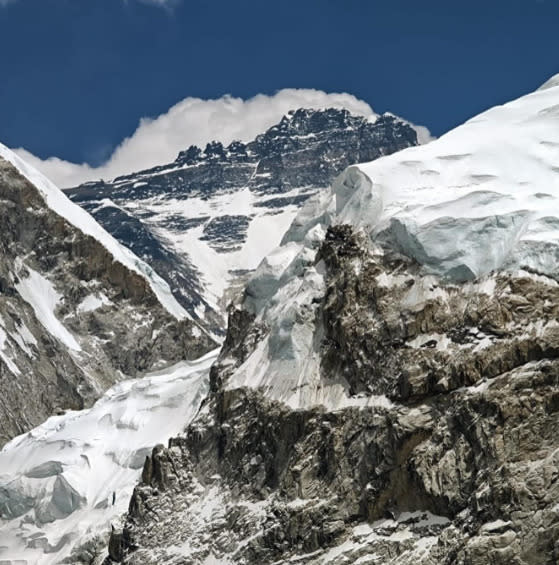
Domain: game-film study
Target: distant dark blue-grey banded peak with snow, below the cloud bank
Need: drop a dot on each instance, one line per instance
(148, 211)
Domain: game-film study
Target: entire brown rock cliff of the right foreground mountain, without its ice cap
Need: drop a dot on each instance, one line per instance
(451, 456)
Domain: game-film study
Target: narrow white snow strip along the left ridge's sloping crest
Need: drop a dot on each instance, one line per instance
(57, 201)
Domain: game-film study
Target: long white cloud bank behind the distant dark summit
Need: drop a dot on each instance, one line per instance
(193, 121)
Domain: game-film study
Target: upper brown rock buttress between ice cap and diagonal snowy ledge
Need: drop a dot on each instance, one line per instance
(455, 343)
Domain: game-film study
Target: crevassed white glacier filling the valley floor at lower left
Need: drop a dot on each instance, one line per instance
(68, 468)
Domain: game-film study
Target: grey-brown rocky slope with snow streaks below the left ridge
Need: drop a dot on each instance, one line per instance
(124, 333)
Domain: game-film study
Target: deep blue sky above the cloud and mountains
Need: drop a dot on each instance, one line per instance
(78, 75)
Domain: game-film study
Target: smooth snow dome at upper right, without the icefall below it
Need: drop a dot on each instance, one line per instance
(485, 196)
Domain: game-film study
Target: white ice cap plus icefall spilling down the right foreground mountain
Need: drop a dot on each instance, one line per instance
(482, 198)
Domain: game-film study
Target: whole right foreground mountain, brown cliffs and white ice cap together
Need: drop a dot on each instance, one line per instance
(387, 391)
